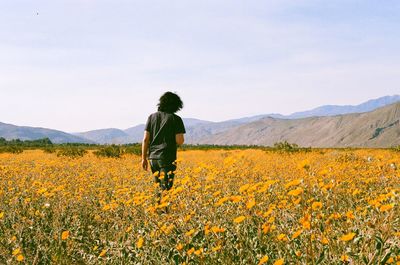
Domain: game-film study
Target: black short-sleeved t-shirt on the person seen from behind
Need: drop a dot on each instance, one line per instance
(163, 128)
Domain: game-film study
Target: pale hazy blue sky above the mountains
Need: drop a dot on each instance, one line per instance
(78, 65)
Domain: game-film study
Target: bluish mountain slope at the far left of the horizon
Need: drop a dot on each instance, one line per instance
(9, 132)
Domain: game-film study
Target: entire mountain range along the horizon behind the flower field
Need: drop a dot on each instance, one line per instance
(374, 123)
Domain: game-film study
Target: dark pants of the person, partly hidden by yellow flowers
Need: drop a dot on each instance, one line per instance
(164, 173)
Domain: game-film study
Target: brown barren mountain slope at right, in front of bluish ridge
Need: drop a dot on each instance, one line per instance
(379, 128)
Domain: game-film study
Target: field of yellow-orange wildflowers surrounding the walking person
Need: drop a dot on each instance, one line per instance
(226, 207)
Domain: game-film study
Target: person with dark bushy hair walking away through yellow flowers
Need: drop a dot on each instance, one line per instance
(163, 132)
